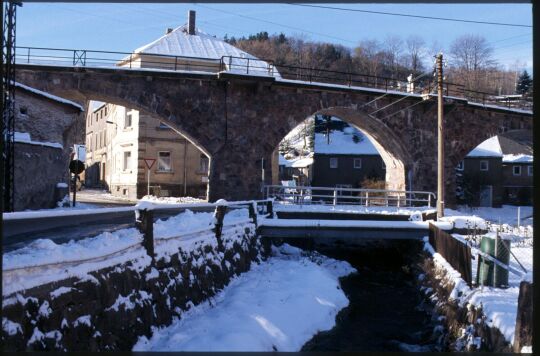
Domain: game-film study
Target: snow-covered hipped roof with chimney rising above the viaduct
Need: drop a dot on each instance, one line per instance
(201, 45)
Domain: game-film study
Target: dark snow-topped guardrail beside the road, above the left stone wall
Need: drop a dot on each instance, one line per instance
(20, 229)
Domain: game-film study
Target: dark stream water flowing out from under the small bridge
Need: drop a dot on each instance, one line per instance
(387, 311)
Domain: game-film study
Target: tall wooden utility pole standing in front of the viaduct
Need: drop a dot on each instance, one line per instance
(440, 139)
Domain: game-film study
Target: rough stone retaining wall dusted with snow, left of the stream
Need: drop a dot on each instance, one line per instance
(111, 308)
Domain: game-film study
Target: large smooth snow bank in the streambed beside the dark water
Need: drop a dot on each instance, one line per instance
(278, 305)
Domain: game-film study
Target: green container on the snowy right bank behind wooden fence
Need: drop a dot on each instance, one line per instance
(489, 273)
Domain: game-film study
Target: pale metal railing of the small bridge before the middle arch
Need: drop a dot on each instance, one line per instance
(348, 196)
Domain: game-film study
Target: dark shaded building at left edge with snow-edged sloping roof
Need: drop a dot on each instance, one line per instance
(46, 129)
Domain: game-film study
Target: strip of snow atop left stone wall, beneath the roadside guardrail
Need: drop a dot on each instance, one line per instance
(44, 261)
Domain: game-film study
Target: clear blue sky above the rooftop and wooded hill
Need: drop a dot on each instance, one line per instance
(124, 27)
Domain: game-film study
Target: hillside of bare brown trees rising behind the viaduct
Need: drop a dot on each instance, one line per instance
(469, 60)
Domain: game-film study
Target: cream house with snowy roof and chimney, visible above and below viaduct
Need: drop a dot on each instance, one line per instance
(119, 139)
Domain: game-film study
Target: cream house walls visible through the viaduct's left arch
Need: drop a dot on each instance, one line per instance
(119, 140)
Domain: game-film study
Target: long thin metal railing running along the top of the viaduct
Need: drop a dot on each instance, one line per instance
(250, 66)
